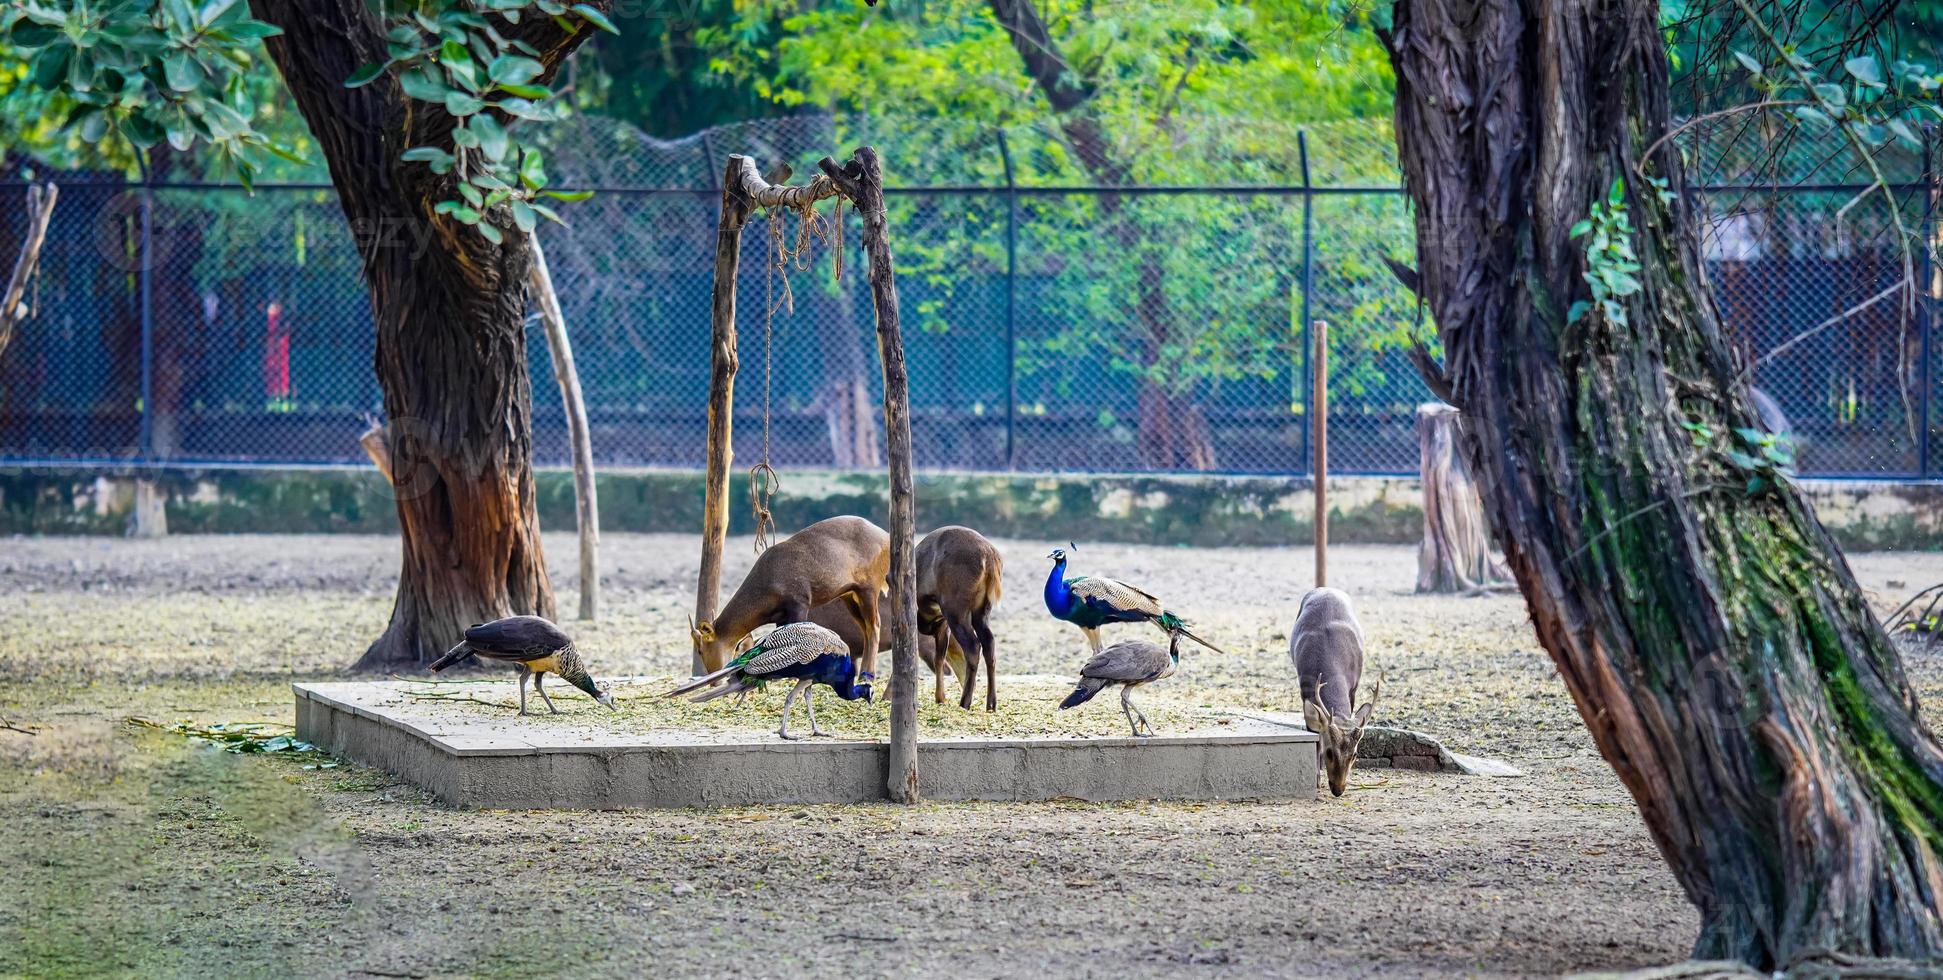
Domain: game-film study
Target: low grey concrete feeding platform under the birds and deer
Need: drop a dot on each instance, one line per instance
(564, 763)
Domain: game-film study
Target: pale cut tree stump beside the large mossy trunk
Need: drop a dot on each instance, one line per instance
(1456, 551)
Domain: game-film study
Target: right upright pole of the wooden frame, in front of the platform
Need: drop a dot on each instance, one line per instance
(864, 182)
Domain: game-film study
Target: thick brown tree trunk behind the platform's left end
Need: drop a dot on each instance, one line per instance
(452, 355)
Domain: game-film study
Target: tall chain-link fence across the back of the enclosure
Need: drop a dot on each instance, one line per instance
(1050, 326)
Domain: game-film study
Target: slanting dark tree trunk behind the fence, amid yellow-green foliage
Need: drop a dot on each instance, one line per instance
(1175, 433)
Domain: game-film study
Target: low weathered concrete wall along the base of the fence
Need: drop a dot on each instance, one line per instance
(1151, 510)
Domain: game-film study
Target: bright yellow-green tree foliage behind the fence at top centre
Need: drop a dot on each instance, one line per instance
(1196, 92)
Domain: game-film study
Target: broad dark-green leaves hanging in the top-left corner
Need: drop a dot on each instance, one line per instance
(143, 73)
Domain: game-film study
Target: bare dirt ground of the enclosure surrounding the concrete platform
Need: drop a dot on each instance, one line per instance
(139, 853)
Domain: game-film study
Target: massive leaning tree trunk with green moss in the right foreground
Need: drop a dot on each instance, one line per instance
(1703, 621)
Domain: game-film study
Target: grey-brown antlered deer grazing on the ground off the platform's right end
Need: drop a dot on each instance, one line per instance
(1328, 650)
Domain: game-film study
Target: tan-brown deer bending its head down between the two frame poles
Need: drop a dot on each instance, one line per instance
(835, 559)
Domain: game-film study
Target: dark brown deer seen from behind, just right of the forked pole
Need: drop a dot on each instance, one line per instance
(957, 590)
